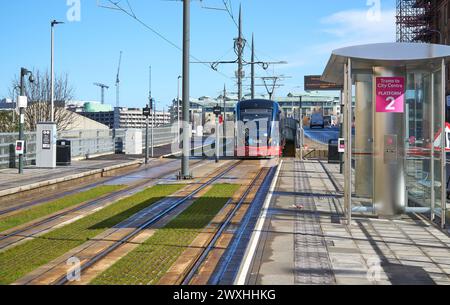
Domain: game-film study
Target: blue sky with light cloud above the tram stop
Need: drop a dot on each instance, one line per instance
(298, 31)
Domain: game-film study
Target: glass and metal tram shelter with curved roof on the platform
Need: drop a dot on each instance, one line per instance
(395, 133)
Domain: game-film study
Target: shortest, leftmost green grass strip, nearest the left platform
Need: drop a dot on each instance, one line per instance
(49, 208)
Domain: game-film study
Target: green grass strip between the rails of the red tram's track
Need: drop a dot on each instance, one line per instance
(148, 263)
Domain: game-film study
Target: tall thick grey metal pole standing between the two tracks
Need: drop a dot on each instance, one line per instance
(185, 171)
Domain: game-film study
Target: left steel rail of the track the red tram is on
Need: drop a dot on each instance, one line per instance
(166, 212)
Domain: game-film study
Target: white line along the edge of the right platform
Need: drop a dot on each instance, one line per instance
(254, 241)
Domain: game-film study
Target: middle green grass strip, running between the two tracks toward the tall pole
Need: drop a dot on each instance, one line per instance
(24, 258)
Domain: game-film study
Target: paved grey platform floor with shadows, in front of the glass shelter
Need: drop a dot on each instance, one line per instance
(305, 239)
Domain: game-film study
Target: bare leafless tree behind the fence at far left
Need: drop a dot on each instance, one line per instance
(39, 107)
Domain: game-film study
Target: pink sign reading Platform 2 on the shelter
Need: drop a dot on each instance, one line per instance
(390, 92)
